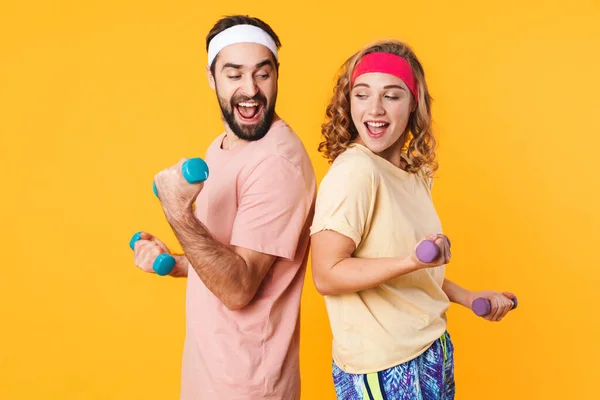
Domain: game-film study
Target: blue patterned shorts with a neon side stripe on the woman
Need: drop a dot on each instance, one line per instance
(427, 377)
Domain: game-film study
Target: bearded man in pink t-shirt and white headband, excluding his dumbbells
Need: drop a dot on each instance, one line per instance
(246, 242)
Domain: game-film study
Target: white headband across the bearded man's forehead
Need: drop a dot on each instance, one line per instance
(240, 34)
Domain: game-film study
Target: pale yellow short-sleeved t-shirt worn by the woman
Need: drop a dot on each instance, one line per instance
(386, 211)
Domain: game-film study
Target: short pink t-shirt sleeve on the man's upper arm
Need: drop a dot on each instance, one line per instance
(274, 202)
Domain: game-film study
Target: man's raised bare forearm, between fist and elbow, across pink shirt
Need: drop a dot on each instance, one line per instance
(221, 269)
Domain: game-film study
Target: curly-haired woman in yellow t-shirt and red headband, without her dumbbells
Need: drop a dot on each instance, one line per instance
(386, 307)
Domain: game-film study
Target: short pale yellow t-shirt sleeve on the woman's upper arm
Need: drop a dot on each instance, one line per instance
(345, 200)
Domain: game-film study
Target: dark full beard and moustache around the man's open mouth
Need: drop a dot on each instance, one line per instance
(248, 132)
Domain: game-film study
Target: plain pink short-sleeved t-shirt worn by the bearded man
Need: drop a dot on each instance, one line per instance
(259, 195)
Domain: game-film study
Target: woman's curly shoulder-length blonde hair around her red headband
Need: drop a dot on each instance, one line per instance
(338, 130)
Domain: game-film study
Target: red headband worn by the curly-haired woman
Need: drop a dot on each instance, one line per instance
(387, 63)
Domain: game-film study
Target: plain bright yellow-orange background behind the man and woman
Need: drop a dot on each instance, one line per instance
(96, 97)
